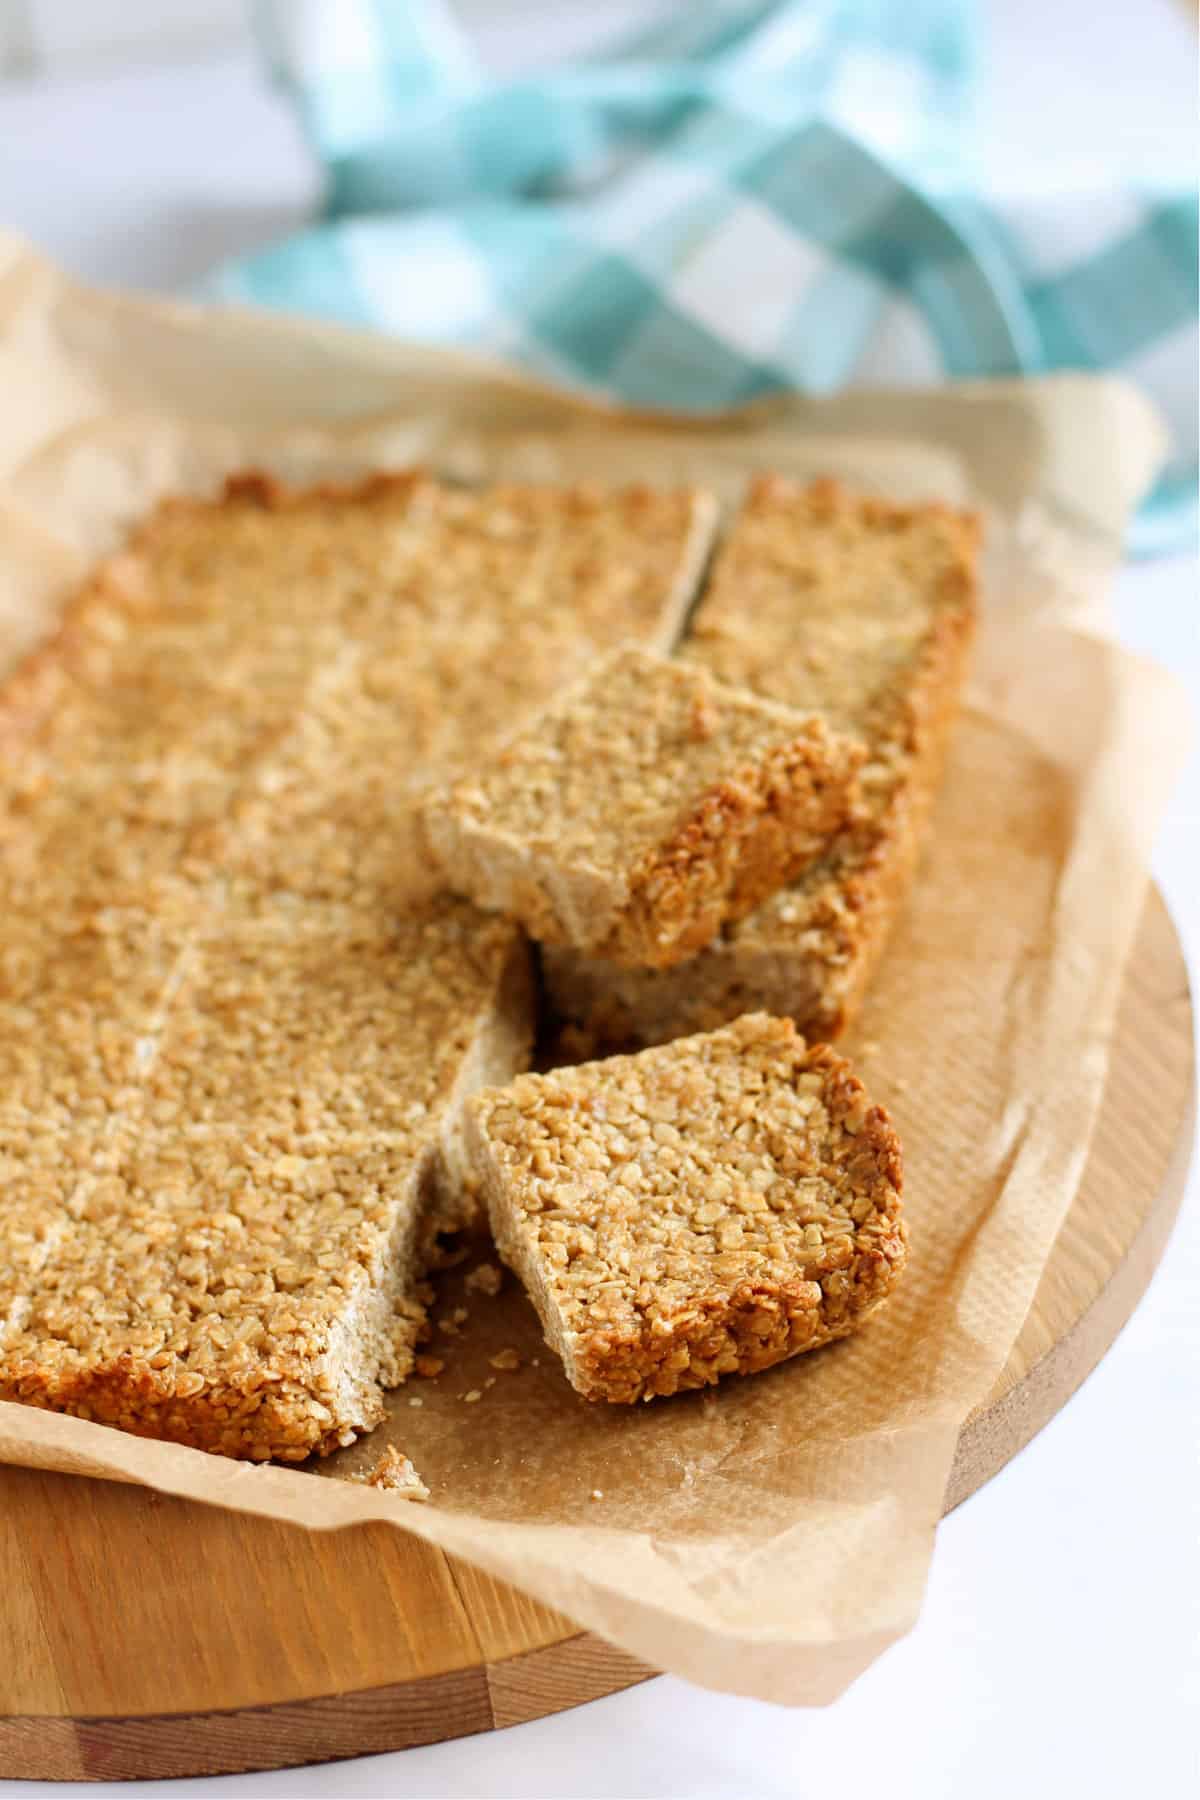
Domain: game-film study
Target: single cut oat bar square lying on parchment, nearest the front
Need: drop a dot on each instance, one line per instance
(704, 1209)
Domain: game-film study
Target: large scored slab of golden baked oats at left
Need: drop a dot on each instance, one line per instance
(237, 1021)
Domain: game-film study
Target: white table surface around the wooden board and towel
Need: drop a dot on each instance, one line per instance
(1061, 1642)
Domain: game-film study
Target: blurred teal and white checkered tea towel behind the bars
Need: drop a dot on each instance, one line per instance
(755, 195)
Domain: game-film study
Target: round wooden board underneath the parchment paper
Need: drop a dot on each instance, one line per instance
(147, 1637)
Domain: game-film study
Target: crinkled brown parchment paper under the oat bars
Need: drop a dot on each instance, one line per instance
(773, 1536)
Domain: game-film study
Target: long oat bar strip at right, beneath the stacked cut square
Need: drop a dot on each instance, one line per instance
(863, 611)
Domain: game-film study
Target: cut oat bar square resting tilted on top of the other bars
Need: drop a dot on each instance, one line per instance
(643, 811)
